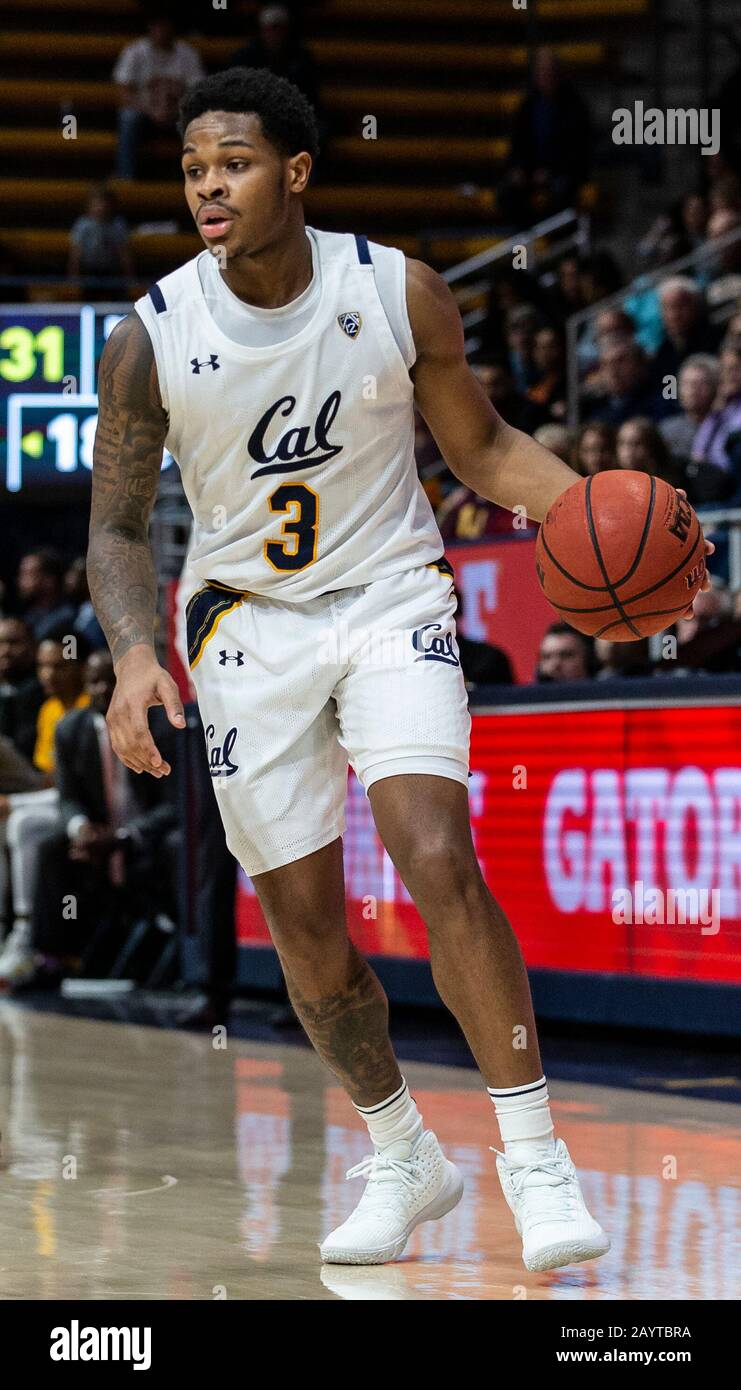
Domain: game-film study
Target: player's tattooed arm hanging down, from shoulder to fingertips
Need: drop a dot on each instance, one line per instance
(127, 459)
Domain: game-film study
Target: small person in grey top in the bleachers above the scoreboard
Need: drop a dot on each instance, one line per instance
(99, 247)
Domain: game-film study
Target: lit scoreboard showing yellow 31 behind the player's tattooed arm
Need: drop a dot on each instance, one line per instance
(49, 359)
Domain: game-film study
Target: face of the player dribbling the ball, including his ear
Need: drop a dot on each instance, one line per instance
(237, 184)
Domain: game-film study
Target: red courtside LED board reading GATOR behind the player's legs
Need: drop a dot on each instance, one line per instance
(611, 837)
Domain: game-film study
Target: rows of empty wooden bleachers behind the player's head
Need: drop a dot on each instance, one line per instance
(443, 84)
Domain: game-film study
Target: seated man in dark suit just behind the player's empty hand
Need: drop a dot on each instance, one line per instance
(117, 829)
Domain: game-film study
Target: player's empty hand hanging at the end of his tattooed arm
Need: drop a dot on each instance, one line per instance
(140, 685)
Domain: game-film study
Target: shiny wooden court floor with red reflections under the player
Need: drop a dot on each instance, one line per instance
(148, 1164)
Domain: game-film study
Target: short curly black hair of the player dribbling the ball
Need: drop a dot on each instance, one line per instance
(287, 117)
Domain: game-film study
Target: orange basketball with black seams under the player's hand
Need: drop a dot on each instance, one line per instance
(621, 555)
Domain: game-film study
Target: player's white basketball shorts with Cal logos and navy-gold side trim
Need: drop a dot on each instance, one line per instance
(293, 693)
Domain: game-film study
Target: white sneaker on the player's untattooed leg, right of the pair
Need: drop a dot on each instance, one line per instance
(550, 1211)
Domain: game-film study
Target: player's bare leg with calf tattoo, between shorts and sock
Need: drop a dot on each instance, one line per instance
(334, 992)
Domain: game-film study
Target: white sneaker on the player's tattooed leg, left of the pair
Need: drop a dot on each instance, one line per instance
(408, 1184)
